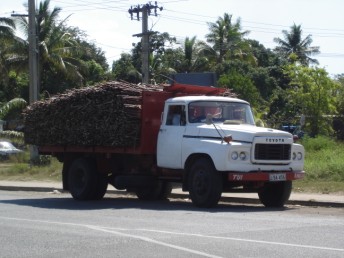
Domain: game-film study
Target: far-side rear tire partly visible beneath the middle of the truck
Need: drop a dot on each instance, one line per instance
(159, 192)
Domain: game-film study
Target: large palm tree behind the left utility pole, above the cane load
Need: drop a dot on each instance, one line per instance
(57, 48)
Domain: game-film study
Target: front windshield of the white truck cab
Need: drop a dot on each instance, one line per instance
(225, 112)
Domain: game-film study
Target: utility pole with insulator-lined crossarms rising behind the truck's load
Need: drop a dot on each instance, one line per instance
(146, 11)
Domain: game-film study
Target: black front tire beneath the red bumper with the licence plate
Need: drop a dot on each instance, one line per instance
(275, 194)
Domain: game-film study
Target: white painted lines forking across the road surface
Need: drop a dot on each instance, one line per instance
(116, 231)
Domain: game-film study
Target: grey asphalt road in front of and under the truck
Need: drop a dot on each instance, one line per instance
(40, 224)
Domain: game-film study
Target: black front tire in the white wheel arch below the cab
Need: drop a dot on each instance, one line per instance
(205, 184)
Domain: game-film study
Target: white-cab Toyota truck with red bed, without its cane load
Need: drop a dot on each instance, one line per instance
(193, 138)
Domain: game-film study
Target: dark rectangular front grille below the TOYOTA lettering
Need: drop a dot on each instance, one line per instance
(272, 151)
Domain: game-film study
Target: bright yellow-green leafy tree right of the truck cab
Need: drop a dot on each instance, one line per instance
(313, 91)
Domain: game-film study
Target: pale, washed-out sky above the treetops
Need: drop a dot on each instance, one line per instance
(108, 24)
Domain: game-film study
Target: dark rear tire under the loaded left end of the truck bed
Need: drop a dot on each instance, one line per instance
(84, 182)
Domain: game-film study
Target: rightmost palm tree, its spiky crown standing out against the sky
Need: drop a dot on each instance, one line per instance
(294, 48)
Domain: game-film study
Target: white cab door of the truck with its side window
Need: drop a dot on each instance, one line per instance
(170, 137)
